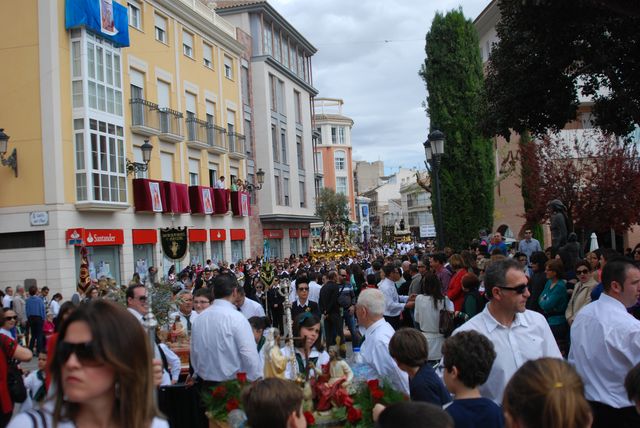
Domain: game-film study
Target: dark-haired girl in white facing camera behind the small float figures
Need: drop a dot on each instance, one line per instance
(310, 353)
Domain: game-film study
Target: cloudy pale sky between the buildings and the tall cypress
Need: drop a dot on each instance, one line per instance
(369, 54)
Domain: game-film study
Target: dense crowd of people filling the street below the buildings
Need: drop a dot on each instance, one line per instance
(485, 337)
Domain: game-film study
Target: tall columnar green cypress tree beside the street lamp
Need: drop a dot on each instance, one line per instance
(453, 75)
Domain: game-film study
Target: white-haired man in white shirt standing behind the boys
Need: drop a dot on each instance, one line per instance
(378, 333)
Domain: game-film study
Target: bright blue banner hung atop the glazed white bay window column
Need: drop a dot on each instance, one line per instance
(106, 18)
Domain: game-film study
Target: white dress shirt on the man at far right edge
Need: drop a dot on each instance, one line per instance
(605, 345)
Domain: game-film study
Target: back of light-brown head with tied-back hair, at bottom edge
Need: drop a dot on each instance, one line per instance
(546, 393)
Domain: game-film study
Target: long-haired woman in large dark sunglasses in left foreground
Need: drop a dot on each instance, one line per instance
(102, 371)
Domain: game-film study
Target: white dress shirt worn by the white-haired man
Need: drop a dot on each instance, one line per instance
(375, 352)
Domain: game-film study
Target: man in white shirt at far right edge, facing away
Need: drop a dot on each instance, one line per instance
(605, 345)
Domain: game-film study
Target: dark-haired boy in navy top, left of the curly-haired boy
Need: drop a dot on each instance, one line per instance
(408, 347)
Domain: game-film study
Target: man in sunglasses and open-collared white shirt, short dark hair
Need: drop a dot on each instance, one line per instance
(518, 335)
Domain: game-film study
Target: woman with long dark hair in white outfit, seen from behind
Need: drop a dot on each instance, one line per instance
(427, 313)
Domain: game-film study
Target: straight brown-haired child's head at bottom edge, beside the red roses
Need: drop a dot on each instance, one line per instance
(274, 403)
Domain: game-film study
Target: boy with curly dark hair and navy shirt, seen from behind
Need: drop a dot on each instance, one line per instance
(467, 358)
